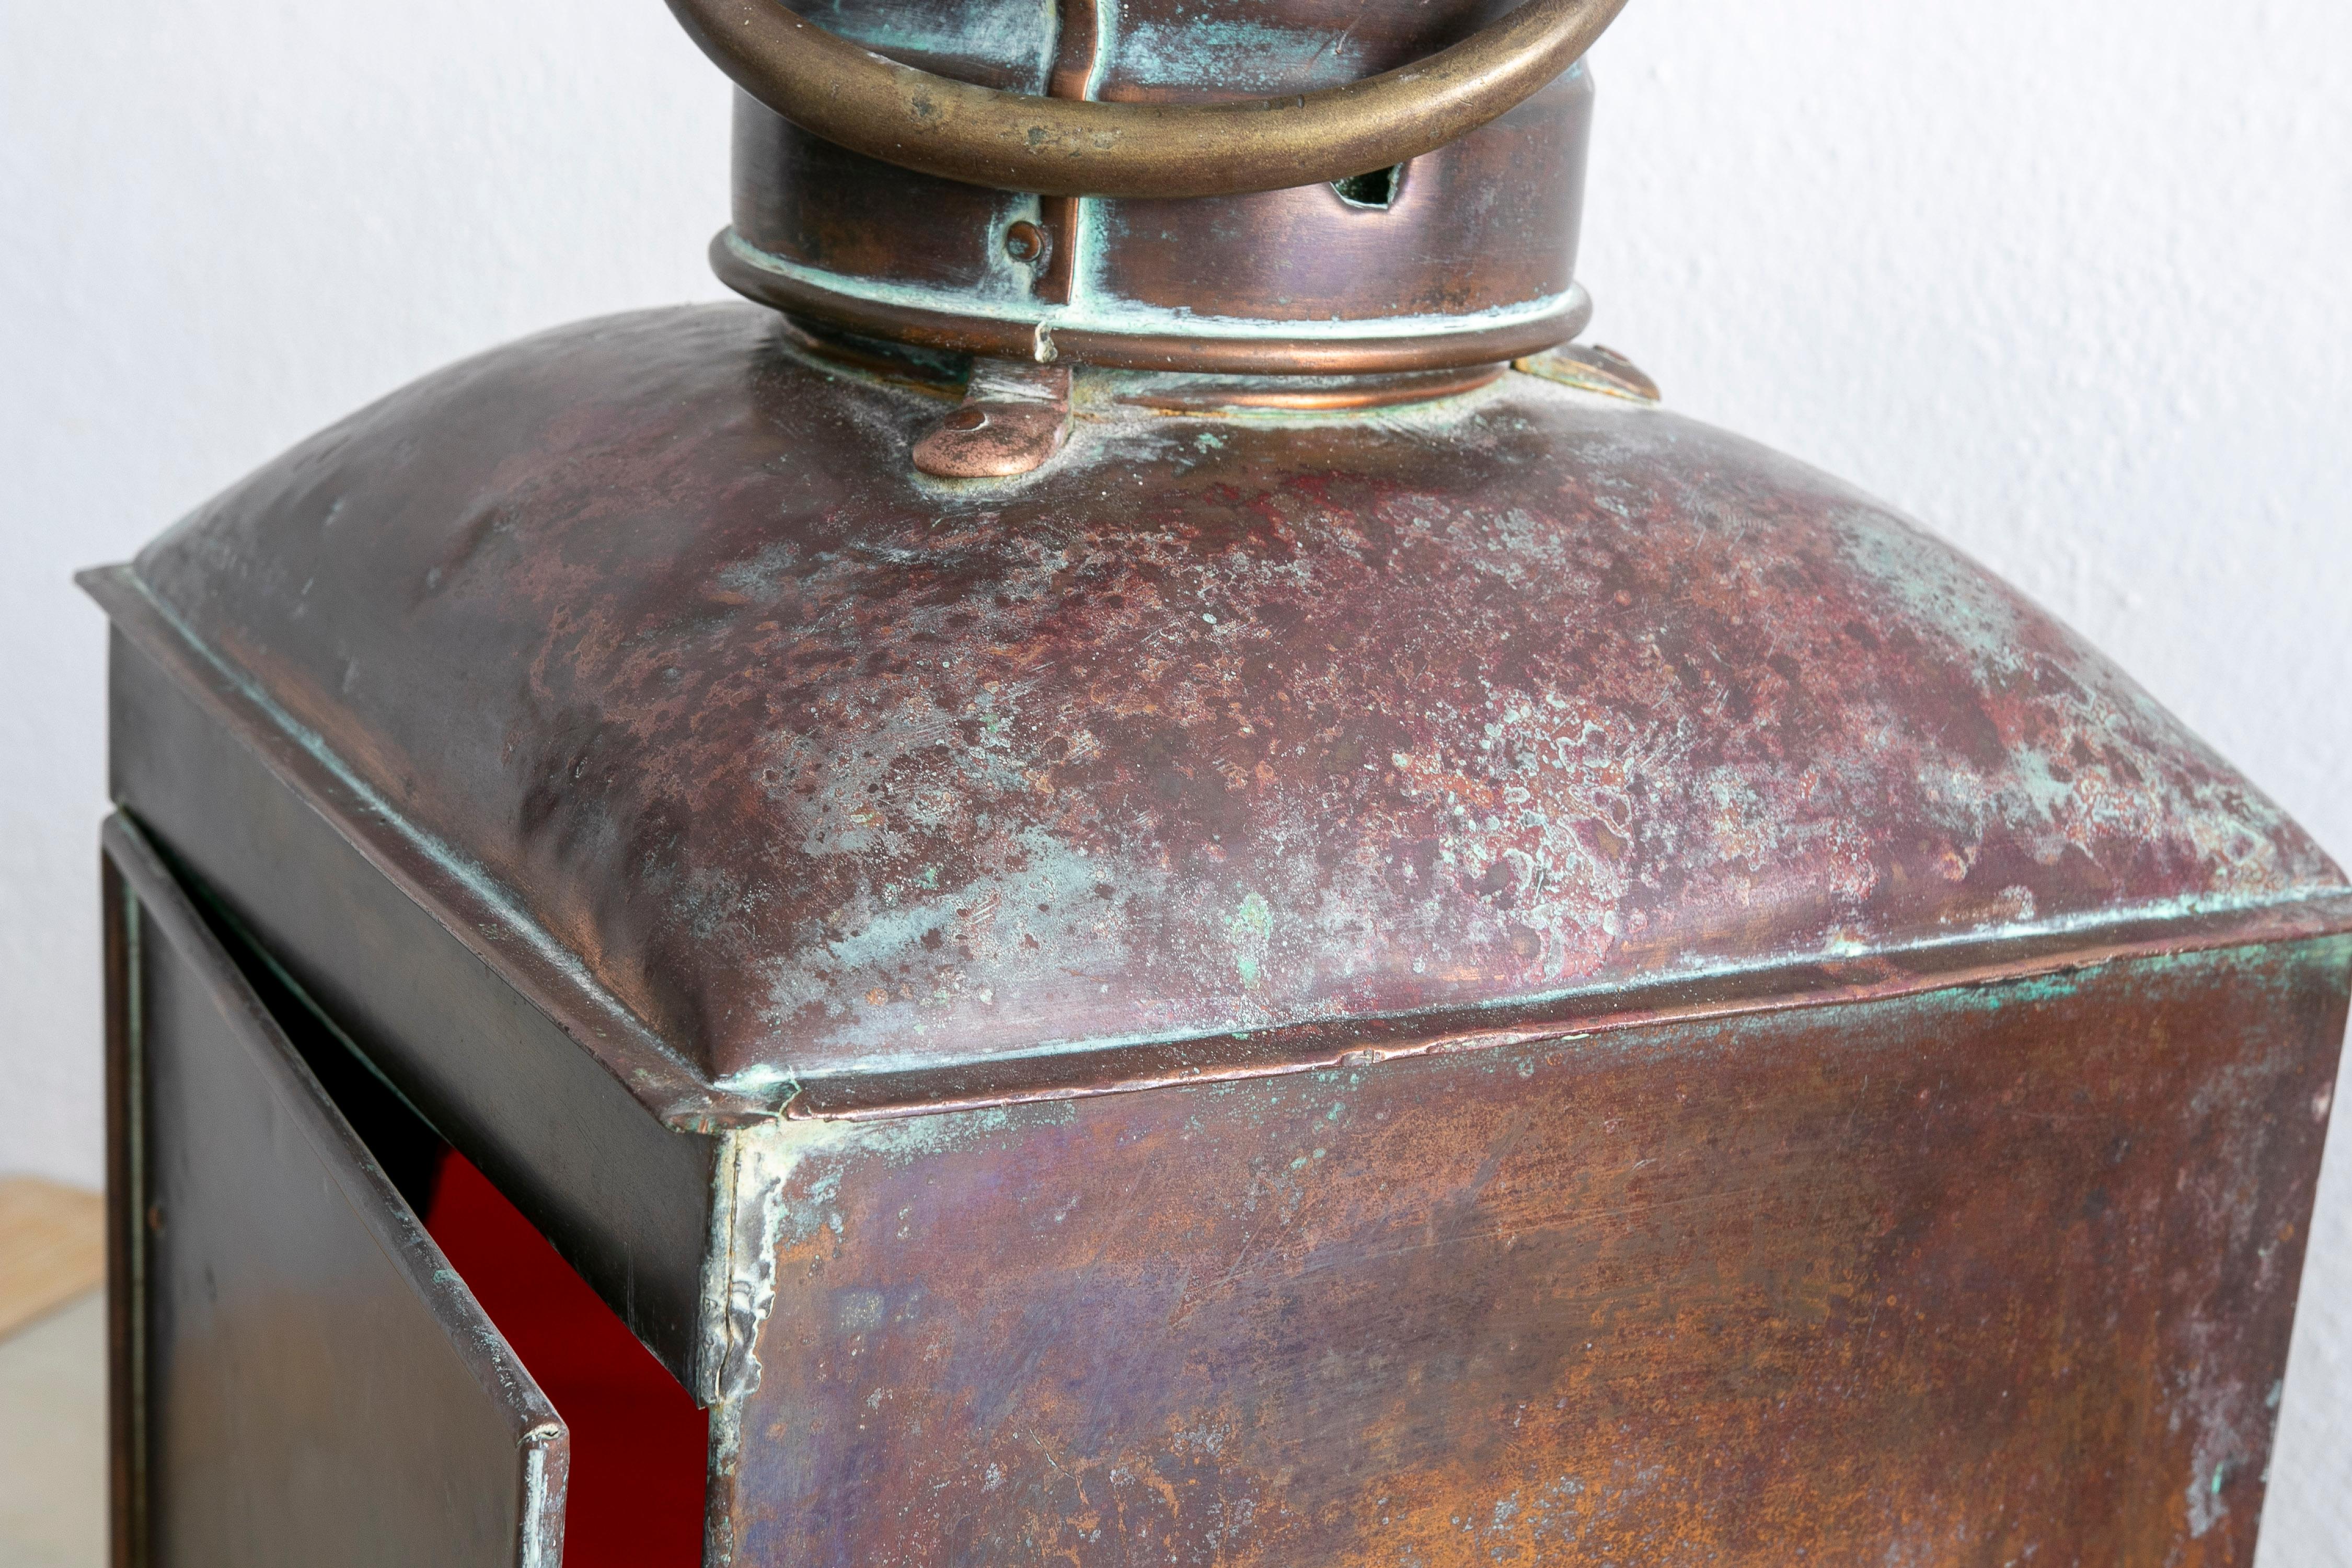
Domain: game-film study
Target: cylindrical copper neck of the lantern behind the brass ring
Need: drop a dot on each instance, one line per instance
(1464, 255)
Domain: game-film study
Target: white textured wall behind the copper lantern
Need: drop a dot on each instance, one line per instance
(2069, 281)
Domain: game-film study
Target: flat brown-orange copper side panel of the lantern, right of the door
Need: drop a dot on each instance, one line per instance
(1977, 1278)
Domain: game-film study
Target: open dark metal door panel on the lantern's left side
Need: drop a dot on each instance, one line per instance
(300, 1376)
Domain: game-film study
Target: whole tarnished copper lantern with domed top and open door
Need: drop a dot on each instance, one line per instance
(1147, 883)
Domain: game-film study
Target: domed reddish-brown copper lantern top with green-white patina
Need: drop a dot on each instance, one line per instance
(1210, 728)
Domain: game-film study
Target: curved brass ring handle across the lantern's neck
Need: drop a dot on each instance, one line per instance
(1085, 147)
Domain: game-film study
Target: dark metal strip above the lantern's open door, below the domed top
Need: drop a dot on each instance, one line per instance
(490, 1031)
